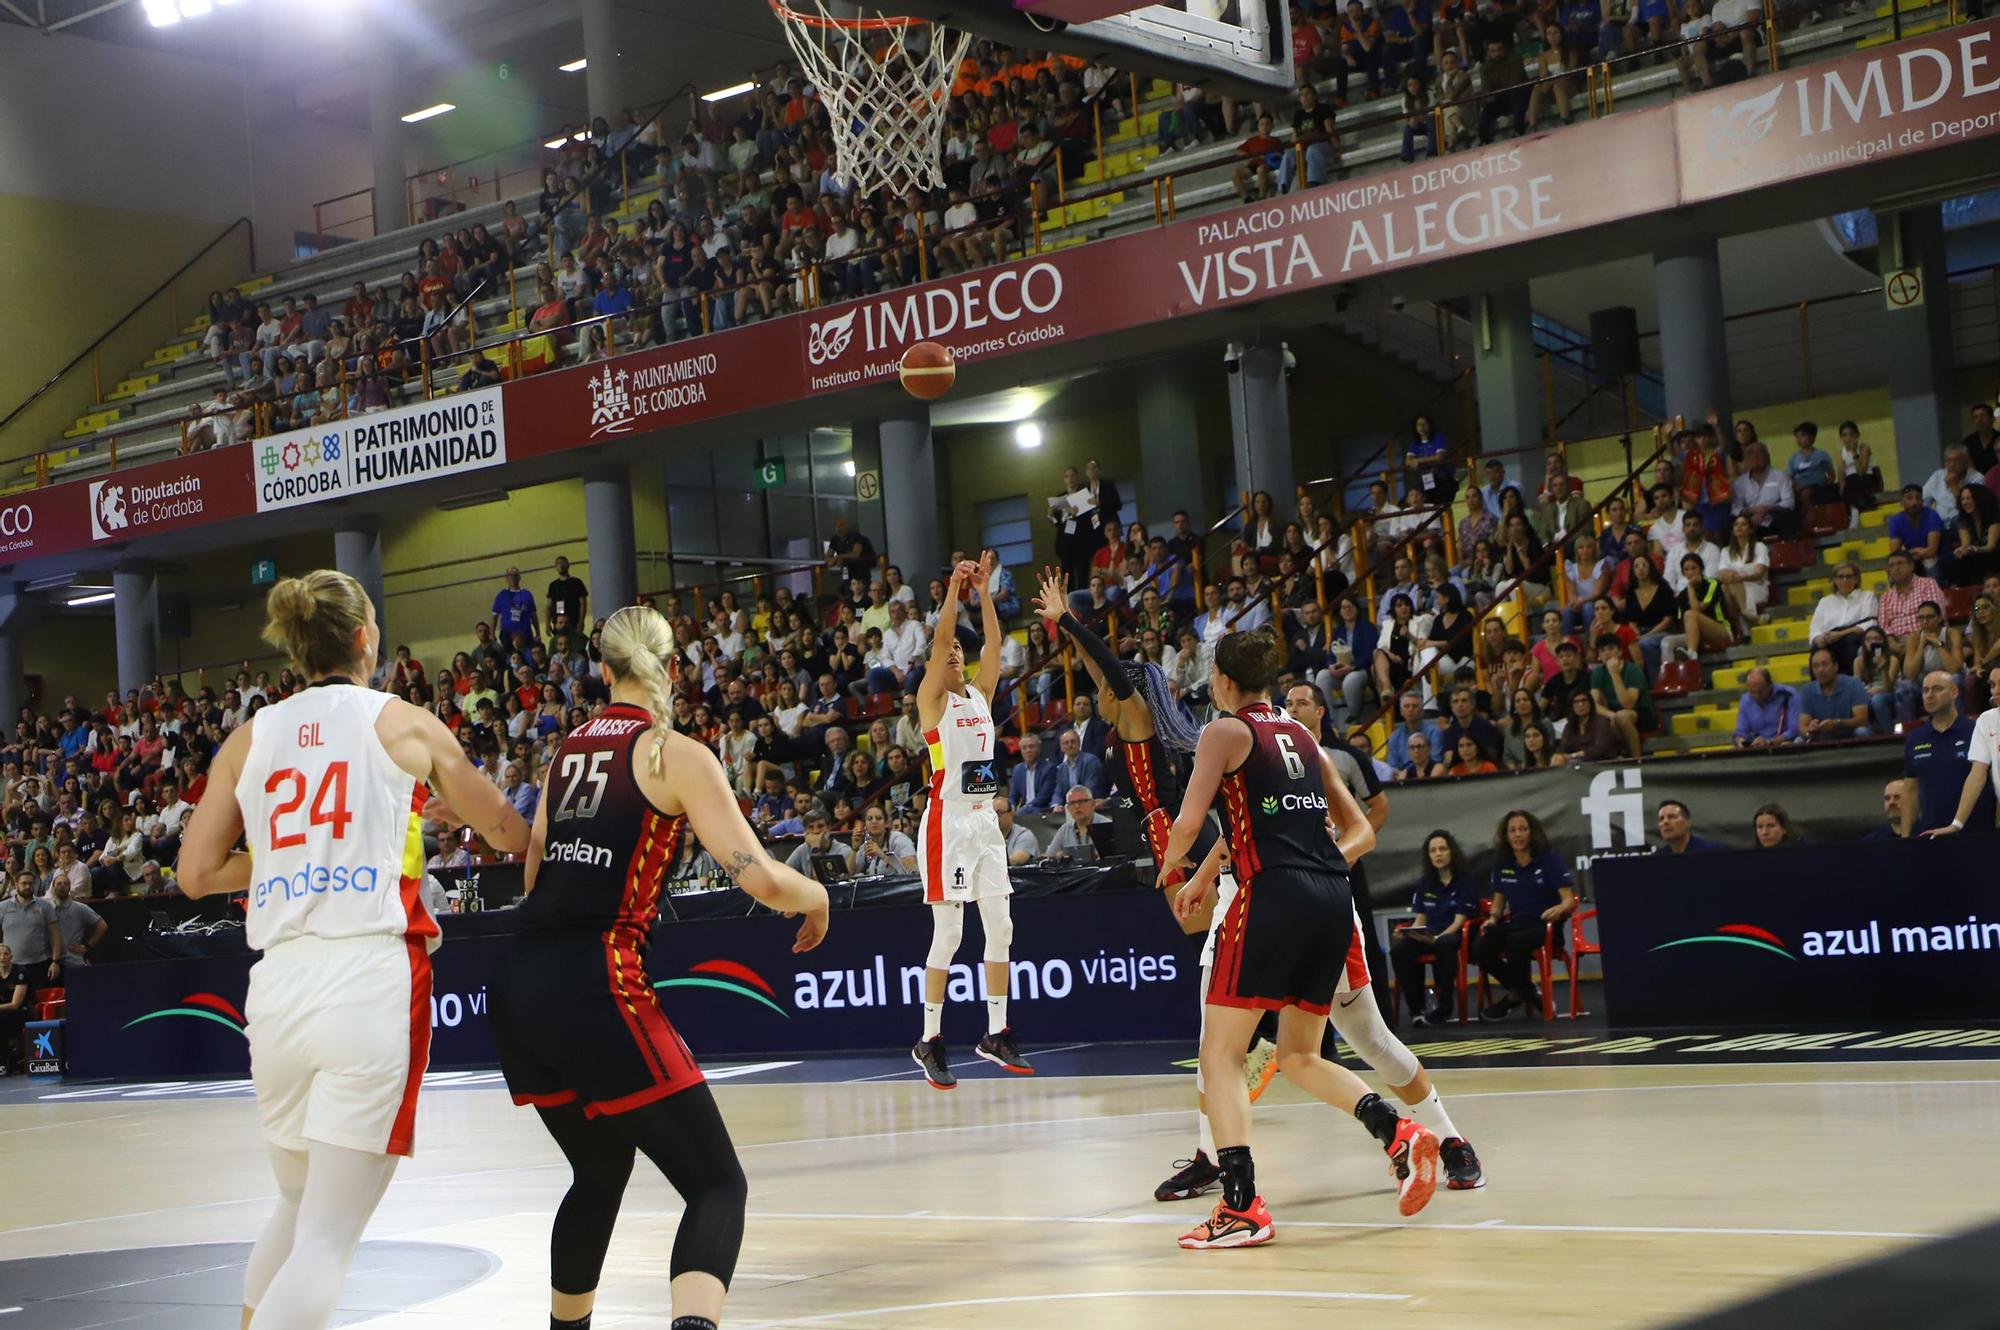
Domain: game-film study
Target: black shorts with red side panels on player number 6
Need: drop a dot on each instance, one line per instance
(1287, 941)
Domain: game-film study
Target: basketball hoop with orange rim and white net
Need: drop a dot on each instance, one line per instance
(887, 85)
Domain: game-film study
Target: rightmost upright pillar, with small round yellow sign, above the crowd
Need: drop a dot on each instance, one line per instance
(1919, 345)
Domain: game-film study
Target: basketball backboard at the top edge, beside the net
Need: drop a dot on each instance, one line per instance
(1229, 45)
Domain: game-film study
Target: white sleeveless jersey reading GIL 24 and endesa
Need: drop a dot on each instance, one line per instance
(335, 829)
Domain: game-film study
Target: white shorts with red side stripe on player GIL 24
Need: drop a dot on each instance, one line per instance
(339, 1041)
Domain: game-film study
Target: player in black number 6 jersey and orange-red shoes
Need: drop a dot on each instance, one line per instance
(1287, 939)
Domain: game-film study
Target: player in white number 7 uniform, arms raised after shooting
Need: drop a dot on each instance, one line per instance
(961, 853)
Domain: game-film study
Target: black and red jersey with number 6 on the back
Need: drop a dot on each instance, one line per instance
(1275, 803)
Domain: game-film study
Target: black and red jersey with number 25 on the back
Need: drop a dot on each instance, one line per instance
(607, 847)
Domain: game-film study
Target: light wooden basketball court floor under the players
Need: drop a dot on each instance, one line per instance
(1619, 1197)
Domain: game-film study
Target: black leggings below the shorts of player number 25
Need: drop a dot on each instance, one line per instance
(687, 1141)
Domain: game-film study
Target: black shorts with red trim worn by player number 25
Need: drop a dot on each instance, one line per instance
(577, 1023)
